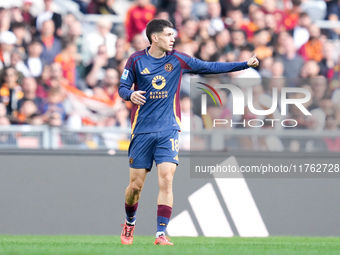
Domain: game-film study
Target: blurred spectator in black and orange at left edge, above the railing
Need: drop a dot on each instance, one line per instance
(10, 91)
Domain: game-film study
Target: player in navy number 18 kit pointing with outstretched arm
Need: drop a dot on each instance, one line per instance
(156, 74)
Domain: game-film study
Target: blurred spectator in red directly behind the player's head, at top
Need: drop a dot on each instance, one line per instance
(137, 17)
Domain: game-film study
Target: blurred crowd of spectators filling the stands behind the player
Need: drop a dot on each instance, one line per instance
(56, 71)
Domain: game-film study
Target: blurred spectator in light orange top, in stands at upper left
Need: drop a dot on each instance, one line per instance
(66, 58)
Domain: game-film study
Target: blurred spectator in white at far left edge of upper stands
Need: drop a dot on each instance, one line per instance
(7, 43)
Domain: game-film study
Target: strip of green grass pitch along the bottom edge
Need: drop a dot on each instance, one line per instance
(102, 245)
